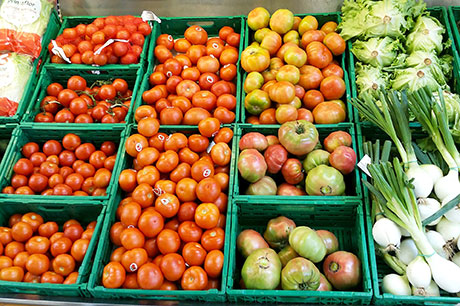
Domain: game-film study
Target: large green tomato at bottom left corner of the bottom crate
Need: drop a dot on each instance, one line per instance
(262, 270)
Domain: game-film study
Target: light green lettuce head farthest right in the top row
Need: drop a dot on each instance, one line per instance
(426, 35)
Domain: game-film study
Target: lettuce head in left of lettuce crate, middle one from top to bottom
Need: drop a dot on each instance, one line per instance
(378, 52)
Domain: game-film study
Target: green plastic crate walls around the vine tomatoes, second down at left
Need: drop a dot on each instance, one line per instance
(132, 76)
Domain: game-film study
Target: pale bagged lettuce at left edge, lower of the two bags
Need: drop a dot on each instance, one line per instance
(15, 70)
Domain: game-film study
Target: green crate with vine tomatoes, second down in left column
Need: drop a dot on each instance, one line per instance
(84, 96)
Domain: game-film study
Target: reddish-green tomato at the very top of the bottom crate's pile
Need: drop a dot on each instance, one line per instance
(277, 232)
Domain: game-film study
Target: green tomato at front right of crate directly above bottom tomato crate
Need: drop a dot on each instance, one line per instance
(324, 180)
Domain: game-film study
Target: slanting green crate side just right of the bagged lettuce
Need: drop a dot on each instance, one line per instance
(51, 32)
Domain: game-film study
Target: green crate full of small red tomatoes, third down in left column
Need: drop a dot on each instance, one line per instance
(58, 165)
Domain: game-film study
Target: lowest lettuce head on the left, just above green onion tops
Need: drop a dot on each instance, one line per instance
(370, 79)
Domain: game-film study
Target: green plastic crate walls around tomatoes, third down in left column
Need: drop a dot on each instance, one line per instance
(41, 133)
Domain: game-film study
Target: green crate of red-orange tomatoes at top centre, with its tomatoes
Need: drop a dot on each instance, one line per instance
(194, 70)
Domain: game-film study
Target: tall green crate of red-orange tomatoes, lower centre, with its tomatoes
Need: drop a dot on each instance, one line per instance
(167, 231)
